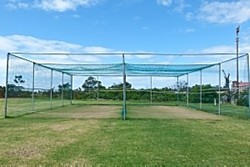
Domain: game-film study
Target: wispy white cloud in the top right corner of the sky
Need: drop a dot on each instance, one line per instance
(225, 12)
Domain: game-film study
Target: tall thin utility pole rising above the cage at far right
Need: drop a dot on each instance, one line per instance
(237, 60)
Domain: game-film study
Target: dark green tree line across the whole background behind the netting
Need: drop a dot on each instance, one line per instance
(92, 89)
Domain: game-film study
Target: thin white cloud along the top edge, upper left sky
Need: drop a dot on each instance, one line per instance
(51, 5)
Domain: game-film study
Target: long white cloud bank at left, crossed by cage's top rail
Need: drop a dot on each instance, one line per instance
(20, 43)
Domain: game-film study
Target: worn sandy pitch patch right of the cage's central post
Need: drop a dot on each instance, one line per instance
(171, 112)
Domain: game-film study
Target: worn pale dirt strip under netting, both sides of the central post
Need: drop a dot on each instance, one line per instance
(133, 112)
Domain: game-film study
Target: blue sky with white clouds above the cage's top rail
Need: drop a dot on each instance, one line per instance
(172, 26)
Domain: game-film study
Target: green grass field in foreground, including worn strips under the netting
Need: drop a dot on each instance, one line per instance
(96, 135)
